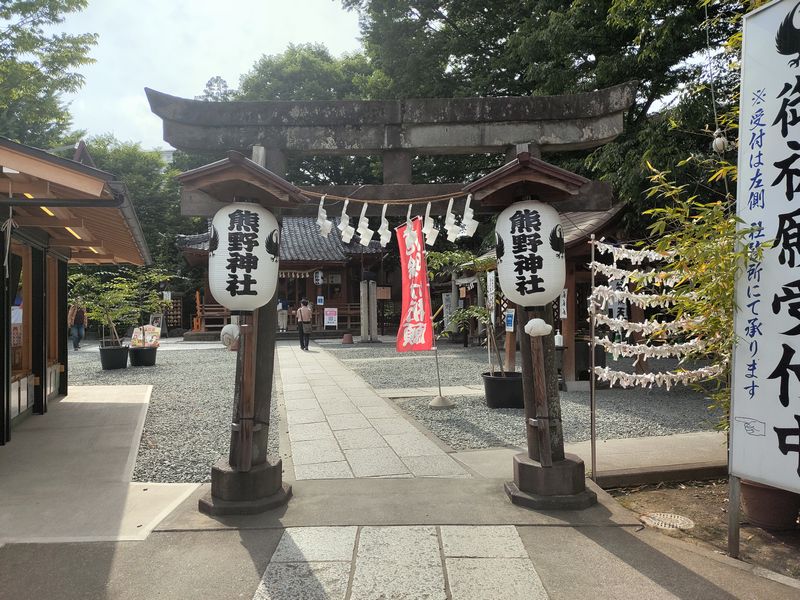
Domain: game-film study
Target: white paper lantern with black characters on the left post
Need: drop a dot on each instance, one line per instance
(243, 256)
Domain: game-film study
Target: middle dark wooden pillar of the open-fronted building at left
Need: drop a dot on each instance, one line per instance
(38, 340)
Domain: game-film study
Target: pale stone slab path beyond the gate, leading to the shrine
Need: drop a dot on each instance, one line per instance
(339, 427)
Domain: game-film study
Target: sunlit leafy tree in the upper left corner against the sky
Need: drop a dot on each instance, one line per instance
(37, 67)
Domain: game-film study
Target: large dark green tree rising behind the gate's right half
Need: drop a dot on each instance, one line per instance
(540, 47)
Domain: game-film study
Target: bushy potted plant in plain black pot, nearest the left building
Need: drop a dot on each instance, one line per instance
(108, 301)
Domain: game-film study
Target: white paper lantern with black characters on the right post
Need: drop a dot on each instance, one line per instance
(530, 253)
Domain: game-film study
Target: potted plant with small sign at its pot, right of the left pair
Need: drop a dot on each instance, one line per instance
(145, 287)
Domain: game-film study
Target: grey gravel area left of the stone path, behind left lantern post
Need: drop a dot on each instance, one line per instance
(187, 427)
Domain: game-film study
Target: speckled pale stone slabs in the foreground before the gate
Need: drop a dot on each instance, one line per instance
(401, 563)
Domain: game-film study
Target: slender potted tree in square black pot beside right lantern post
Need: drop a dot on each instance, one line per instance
(503, 388)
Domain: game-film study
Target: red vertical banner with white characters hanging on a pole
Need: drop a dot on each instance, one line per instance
(416, 325)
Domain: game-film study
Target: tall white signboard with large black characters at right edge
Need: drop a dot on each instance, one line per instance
(765, 417)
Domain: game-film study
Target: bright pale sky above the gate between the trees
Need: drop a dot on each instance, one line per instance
(176, 46)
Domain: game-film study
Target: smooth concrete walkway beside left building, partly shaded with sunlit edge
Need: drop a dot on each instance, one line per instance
(67, 476)
